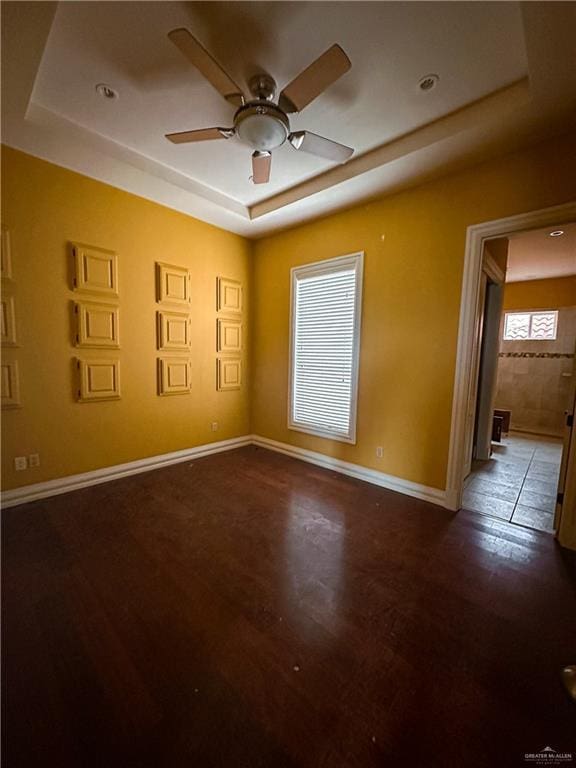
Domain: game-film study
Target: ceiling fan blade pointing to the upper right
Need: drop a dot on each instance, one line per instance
(314, 79)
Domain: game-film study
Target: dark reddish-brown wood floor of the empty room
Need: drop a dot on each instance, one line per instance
(252, 610)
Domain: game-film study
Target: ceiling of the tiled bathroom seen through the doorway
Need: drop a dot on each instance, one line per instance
(536, 256)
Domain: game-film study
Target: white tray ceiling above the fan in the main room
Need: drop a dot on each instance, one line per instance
(53, 55)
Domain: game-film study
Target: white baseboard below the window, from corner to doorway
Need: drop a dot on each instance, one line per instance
(407, 487)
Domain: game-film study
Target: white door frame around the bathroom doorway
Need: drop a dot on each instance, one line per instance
(476, 235)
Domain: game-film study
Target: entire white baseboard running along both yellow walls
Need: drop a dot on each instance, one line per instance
(61, 485)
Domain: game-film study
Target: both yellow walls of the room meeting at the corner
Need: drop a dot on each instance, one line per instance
(414, 249)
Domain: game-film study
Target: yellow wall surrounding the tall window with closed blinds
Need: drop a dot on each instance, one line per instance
(414, 250)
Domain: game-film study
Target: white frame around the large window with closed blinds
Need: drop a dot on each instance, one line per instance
(316, 269)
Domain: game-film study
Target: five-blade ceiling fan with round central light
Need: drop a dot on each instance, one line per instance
(259, 122)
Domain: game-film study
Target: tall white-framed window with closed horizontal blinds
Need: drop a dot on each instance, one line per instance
(325, 343)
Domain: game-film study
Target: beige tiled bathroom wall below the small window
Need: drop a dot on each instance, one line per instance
(534, 378)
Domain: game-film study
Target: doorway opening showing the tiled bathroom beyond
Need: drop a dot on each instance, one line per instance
(523, 376)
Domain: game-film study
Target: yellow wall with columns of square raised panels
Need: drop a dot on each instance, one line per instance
(46, 206)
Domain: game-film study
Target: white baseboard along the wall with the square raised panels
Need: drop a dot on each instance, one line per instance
(74, 482)
